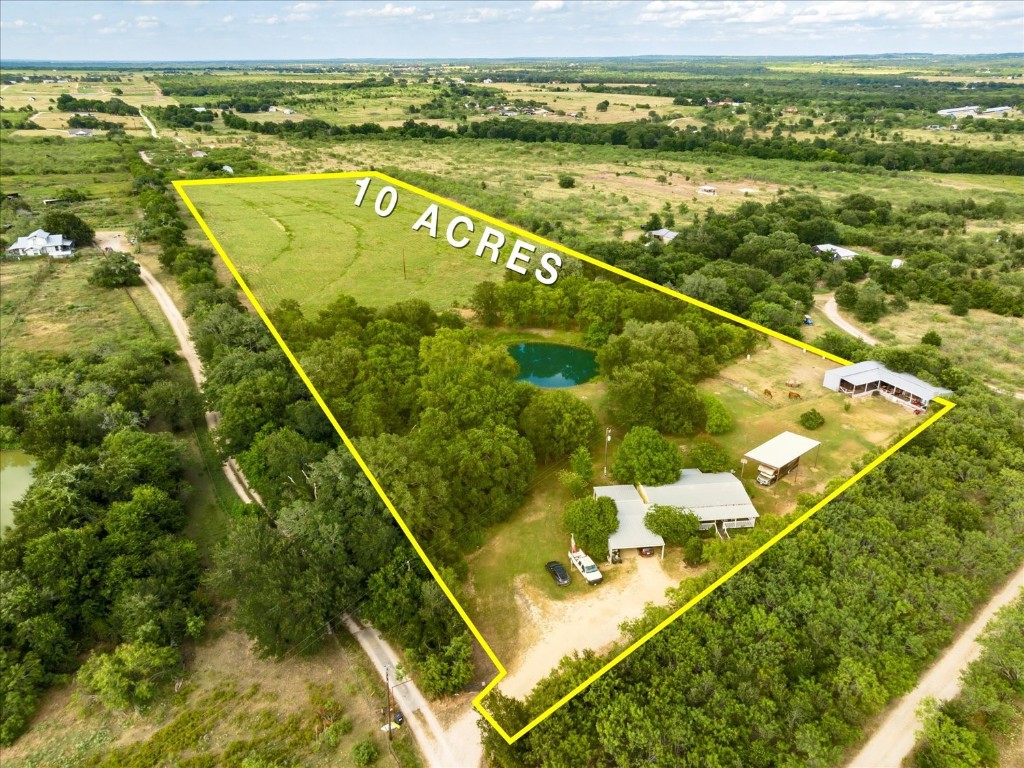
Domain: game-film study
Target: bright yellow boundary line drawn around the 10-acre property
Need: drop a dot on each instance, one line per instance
(479, 700)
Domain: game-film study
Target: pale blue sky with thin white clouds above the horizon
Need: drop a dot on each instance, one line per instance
(220, 30)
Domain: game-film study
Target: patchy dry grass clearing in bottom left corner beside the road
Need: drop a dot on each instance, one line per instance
(232, 706)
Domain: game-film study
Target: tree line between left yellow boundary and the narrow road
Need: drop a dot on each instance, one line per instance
(324, 544)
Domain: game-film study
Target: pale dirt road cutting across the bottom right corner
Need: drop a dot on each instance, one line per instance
(895, 737)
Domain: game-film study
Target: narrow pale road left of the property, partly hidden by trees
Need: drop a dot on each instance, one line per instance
(426, 730)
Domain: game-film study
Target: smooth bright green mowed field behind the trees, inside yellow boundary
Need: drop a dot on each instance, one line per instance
(306, 240)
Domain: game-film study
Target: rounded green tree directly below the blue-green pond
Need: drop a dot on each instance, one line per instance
(558, 423)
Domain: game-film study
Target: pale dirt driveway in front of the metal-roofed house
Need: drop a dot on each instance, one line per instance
(590, 621)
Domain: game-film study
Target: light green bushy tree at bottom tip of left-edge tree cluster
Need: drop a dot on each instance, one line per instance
(129, 677)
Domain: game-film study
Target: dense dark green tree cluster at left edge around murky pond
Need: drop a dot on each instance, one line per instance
(96, 560)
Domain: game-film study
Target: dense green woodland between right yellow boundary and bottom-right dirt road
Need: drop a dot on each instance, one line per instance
(788, 661)
